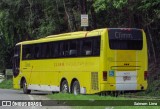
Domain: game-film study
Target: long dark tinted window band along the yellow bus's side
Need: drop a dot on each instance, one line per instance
(63, 49)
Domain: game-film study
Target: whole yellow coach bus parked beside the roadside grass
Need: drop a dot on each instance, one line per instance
(86, 62)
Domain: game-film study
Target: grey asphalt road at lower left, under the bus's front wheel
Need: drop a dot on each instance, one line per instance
(8, 94)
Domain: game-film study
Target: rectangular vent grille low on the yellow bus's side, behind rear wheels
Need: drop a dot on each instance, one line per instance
(94, 80)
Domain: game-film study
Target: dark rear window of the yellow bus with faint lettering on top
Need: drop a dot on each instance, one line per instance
(123, 39)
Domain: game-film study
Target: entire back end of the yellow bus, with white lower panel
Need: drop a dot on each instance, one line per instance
(125, 60)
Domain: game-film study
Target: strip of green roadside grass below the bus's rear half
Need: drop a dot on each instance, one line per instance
(104, 102)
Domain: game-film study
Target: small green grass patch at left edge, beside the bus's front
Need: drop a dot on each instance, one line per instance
(6, 84)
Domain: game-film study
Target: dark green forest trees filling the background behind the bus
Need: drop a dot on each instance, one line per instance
(31, 19)
